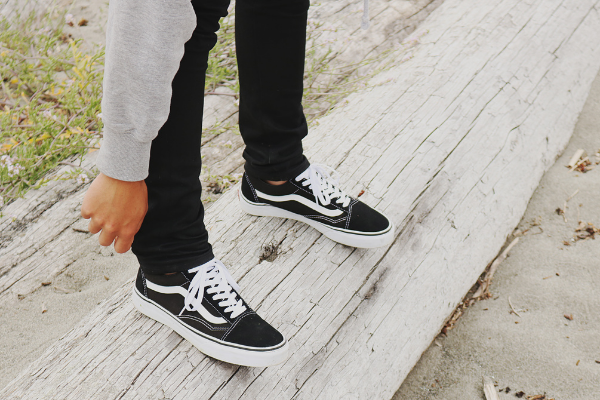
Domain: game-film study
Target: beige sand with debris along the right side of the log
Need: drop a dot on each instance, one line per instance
(539, 351)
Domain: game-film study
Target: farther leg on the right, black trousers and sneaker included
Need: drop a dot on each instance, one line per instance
(271, 39)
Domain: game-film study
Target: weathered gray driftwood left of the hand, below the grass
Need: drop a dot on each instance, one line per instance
(37, 239)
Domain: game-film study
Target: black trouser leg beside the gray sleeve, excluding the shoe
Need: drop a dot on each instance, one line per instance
(173, 237)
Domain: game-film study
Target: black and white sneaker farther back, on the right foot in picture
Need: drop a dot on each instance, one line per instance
(314, 198)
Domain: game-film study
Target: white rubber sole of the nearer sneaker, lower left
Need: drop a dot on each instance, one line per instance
(228, 352)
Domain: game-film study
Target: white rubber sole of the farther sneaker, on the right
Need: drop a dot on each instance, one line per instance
(343, 236)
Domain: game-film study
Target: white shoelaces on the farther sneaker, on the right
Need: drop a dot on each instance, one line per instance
(324, 187)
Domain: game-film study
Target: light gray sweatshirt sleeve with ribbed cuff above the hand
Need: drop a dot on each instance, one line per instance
(144, 45)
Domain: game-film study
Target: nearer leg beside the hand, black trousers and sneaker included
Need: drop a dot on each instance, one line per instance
(180, 283)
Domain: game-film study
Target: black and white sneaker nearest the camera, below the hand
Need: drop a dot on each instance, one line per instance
(203, 306)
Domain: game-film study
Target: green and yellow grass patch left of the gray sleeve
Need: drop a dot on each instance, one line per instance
(49, 102)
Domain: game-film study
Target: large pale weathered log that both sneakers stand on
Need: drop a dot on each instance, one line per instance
(451, 148)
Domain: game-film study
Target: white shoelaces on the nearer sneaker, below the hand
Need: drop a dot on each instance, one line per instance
(215, 276)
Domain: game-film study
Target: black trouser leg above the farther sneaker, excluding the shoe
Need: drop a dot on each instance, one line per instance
(270, 45)
